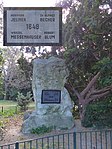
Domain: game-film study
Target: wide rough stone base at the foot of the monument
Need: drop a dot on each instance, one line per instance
(56, 121)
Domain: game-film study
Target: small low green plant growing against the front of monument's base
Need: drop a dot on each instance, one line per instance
(41, 130)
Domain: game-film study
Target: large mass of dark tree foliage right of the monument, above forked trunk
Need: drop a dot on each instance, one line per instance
(87, 38)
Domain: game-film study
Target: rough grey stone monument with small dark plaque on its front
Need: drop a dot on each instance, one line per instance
(49, 78)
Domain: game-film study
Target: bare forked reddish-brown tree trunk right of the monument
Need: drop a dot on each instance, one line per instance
(90, 94)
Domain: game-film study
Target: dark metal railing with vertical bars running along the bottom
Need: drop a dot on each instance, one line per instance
(72, 140)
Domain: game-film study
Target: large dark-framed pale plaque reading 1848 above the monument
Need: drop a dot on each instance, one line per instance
(32, 26)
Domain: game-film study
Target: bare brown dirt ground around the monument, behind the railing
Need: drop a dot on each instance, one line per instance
(13, 130)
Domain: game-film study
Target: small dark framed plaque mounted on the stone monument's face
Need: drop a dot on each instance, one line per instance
(51, 96)
